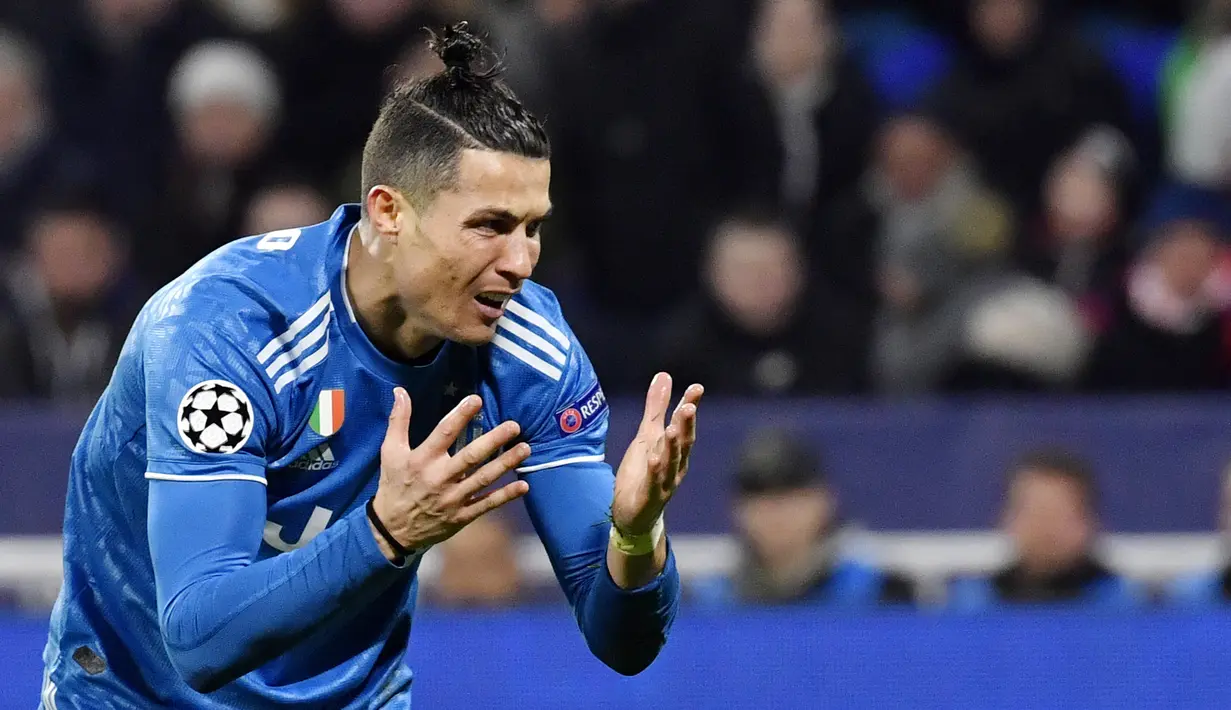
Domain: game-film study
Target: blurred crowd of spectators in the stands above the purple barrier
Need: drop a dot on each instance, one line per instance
(753, 191)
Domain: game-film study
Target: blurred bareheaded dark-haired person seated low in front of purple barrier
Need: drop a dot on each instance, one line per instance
(1052, 521)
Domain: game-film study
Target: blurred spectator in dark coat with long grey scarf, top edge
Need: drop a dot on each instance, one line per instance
(811, 115)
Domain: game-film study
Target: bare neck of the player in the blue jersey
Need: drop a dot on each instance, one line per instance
(374, 295)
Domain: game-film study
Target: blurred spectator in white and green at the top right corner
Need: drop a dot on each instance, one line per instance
(1198, 100)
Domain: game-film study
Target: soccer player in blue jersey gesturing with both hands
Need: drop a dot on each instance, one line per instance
(297, 419)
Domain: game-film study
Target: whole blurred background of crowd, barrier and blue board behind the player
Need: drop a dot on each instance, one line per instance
(955, 273)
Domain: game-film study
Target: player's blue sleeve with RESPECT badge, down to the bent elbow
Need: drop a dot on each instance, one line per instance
(557, 398)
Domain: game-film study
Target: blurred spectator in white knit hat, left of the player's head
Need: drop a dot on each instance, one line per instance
(227, 105)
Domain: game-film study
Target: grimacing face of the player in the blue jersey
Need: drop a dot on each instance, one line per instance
(466, 254)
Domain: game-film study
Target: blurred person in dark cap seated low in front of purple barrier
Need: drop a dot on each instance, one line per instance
(786, 515)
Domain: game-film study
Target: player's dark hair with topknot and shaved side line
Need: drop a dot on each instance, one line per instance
(425, 125)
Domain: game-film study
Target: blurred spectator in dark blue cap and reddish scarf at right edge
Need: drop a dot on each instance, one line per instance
(1170, 328)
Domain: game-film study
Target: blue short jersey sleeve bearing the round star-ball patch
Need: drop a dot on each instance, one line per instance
(211, 414)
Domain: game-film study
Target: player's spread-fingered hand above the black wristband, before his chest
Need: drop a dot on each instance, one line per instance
(428, 495)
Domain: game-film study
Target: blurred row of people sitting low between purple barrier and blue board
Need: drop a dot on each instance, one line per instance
(796, 548)
